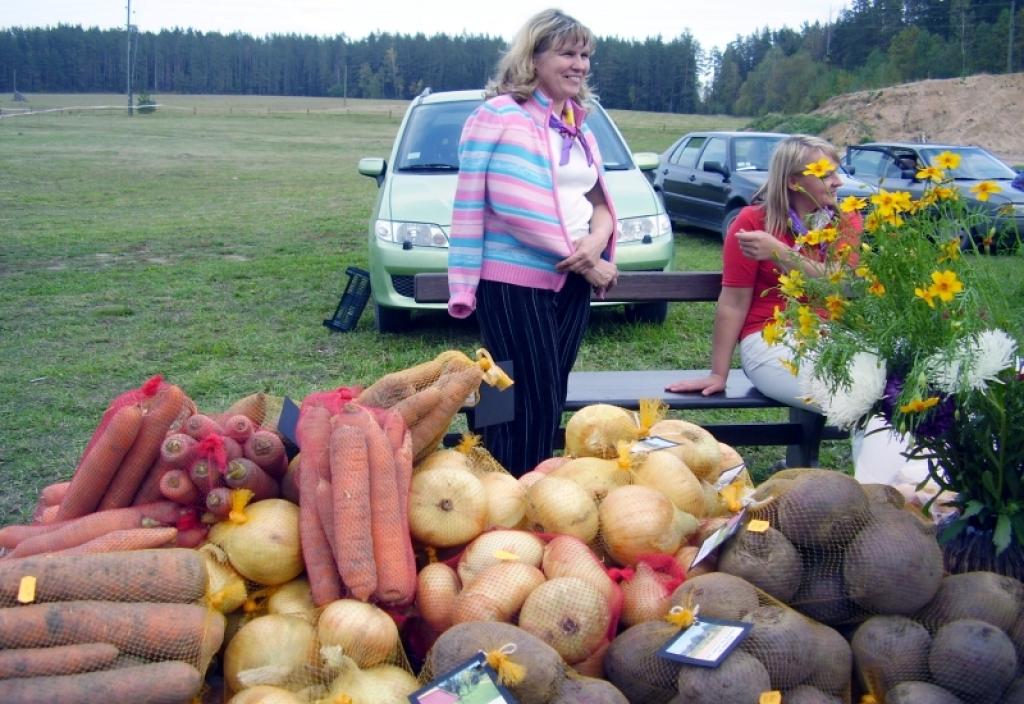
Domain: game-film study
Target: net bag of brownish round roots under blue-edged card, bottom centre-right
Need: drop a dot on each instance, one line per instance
(785, 651)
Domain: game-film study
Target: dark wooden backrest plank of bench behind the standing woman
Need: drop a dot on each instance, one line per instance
(632, 286)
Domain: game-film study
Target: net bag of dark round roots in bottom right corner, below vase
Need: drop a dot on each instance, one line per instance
(966, 645)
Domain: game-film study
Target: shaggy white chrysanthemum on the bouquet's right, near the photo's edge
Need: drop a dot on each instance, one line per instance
(976, 366)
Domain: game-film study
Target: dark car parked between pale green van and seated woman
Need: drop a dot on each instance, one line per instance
(705, 179)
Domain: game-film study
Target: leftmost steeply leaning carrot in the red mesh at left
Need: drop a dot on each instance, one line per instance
(101, 463)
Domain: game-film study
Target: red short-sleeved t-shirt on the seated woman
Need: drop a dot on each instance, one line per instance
(742, 273)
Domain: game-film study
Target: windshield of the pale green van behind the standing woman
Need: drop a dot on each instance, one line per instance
(431, 143)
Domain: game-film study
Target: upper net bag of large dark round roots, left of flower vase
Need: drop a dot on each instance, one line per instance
(835, 550)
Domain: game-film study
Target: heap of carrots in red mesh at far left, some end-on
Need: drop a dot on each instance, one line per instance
(149, 473)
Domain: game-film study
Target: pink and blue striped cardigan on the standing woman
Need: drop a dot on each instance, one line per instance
(506, 223)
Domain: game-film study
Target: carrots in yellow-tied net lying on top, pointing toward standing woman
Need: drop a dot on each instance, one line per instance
(430, 395)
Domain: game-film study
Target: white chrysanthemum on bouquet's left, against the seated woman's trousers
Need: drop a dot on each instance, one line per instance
(849, 404)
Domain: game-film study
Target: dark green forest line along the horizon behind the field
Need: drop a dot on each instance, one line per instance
(871, 45)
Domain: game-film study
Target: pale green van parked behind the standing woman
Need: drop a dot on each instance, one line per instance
(412, 217)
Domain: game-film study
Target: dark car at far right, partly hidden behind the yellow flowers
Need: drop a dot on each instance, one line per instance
(894, 166)
